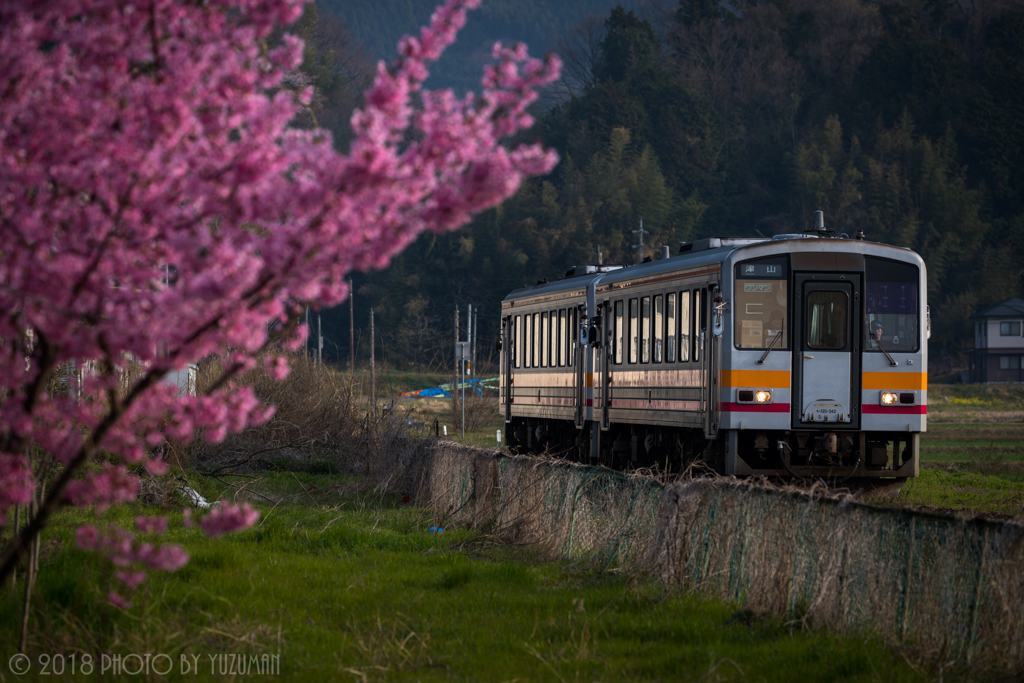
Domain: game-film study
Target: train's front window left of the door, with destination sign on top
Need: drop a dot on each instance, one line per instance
(761, 304)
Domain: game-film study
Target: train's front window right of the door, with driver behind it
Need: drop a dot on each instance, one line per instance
(893, 305)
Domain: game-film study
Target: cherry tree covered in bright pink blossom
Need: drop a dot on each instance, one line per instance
(156, 208)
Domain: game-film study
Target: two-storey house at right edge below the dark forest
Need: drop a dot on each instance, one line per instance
(999, 344)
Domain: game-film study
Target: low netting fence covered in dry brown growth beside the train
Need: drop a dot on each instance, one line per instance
(955, 586)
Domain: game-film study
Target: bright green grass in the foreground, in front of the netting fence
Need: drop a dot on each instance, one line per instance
(356, 588)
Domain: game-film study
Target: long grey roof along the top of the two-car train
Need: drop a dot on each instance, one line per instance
(702, 252)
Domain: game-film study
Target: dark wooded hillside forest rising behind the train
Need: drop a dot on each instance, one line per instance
(904, 119)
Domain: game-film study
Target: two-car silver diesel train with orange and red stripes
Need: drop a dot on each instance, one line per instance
(798, 356)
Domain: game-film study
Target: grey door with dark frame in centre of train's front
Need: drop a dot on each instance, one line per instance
(827, 353)
